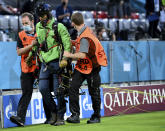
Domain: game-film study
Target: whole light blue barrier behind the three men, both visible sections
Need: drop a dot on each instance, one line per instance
(128, 61)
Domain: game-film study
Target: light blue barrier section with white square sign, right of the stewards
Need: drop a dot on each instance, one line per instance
(134, 61)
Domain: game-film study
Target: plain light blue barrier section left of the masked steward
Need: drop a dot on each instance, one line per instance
(9, 66)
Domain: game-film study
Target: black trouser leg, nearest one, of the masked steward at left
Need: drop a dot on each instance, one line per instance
(27, 81)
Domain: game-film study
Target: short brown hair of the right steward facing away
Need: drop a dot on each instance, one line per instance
(77, 18)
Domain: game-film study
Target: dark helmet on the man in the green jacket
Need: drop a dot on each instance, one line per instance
(43, 9)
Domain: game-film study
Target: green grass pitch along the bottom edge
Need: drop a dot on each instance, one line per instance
(153, 121)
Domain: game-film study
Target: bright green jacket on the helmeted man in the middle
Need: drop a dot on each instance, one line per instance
(47, 34)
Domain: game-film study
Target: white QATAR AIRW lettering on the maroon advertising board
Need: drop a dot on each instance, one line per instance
(133, 98)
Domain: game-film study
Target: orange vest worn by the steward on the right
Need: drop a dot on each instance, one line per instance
(95, 56)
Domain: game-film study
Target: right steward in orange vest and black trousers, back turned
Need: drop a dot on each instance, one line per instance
(87, 68)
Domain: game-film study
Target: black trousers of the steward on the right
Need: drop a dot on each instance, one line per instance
(93, 80)
